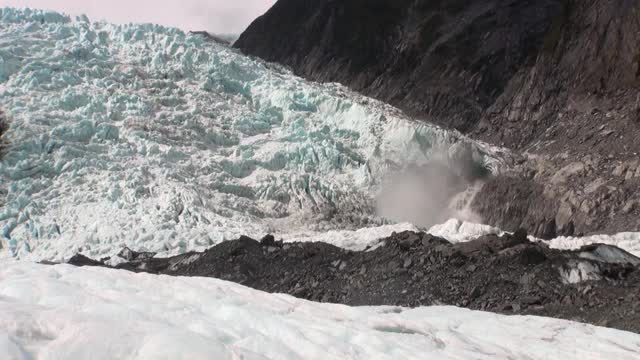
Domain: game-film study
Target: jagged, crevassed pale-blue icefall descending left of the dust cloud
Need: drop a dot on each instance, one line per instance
(147, 136)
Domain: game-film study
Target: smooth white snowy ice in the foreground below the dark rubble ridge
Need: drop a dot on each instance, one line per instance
(62, 312)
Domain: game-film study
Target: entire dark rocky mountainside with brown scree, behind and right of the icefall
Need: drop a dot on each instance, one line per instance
(556, 80)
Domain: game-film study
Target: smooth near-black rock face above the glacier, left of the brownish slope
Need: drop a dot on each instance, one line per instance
(447, 61)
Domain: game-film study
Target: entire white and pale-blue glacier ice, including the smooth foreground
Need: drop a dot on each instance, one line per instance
(149, 137)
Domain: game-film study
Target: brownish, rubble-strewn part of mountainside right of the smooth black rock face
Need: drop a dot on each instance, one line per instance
(577, 109)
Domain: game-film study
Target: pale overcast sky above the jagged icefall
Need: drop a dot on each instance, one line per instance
(220, 16)
